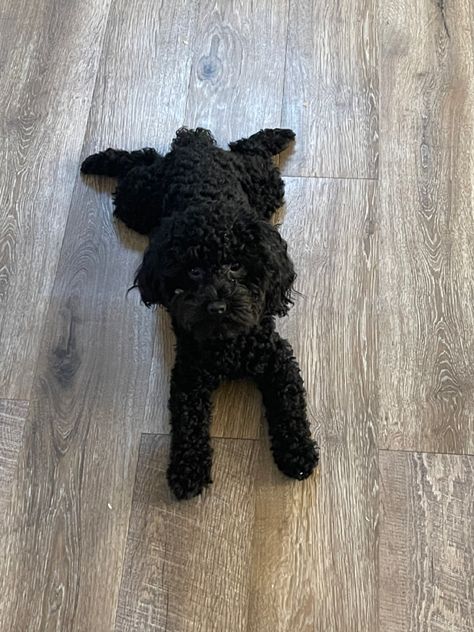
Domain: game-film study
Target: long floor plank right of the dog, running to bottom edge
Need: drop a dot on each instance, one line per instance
(314, 556)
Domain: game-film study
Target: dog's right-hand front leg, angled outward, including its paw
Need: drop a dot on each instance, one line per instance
(281, 384)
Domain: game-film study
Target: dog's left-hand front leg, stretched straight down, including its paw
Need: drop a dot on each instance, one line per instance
(189, 469)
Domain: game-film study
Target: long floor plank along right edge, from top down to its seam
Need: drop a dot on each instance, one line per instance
(427, 227)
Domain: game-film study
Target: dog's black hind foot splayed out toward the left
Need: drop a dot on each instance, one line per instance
(117, 162)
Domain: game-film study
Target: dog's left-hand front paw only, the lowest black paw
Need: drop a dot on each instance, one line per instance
(188, 476)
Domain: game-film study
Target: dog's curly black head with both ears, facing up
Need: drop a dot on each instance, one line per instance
(216, 276)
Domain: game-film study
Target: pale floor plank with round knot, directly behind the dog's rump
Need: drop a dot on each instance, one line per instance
(238, 66)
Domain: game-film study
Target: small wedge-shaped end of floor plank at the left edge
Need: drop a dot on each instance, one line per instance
(12, 420)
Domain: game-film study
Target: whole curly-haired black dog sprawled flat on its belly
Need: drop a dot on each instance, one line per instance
(222, 271)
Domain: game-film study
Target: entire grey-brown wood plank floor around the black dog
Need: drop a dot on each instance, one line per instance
(380, 222)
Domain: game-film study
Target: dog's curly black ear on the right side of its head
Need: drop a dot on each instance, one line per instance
(279, 272)
